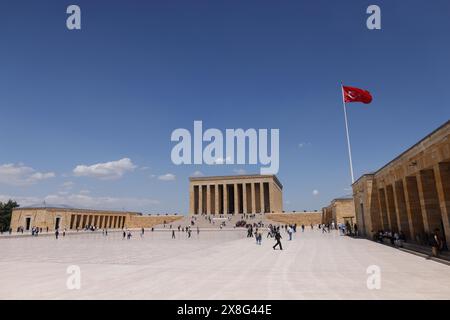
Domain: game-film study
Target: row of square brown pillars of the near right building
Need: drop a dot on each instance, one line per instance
(415, 204)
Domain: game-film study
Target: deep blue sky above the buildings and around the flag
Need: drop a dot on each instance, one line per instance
(137, 70)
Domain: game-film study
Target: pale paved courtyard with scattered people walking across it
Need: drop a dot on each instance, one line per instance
(214, 265)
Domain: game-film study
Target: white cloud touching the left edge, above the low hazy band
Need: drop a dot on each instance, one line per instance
(21, 175)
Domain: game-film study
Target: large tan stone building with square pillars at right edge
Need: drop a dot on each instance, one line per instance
(409, 194)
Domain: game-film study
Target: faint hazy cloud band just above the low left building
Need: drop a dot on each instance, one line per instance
(85, 201)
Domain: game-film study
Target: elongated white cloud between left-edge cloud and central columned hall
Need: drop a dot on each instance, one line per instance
(106, 170)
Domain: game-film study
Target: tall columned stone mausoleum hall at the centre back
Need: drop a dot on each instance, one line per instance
(235, 194)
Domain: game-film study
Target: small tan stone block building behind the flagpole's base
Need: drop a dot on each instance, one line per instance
(340, 210)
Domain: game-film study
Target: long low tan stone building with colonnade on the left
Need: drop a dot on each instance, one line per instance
(71, 219)
